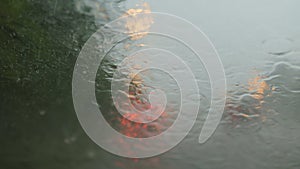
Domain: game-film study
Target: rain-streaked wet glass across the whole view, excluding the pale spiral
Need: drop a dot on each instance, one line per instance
(258, 44)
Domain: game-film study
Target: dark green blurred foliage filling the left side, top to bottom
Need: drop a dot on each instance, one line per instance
(39, 43)
